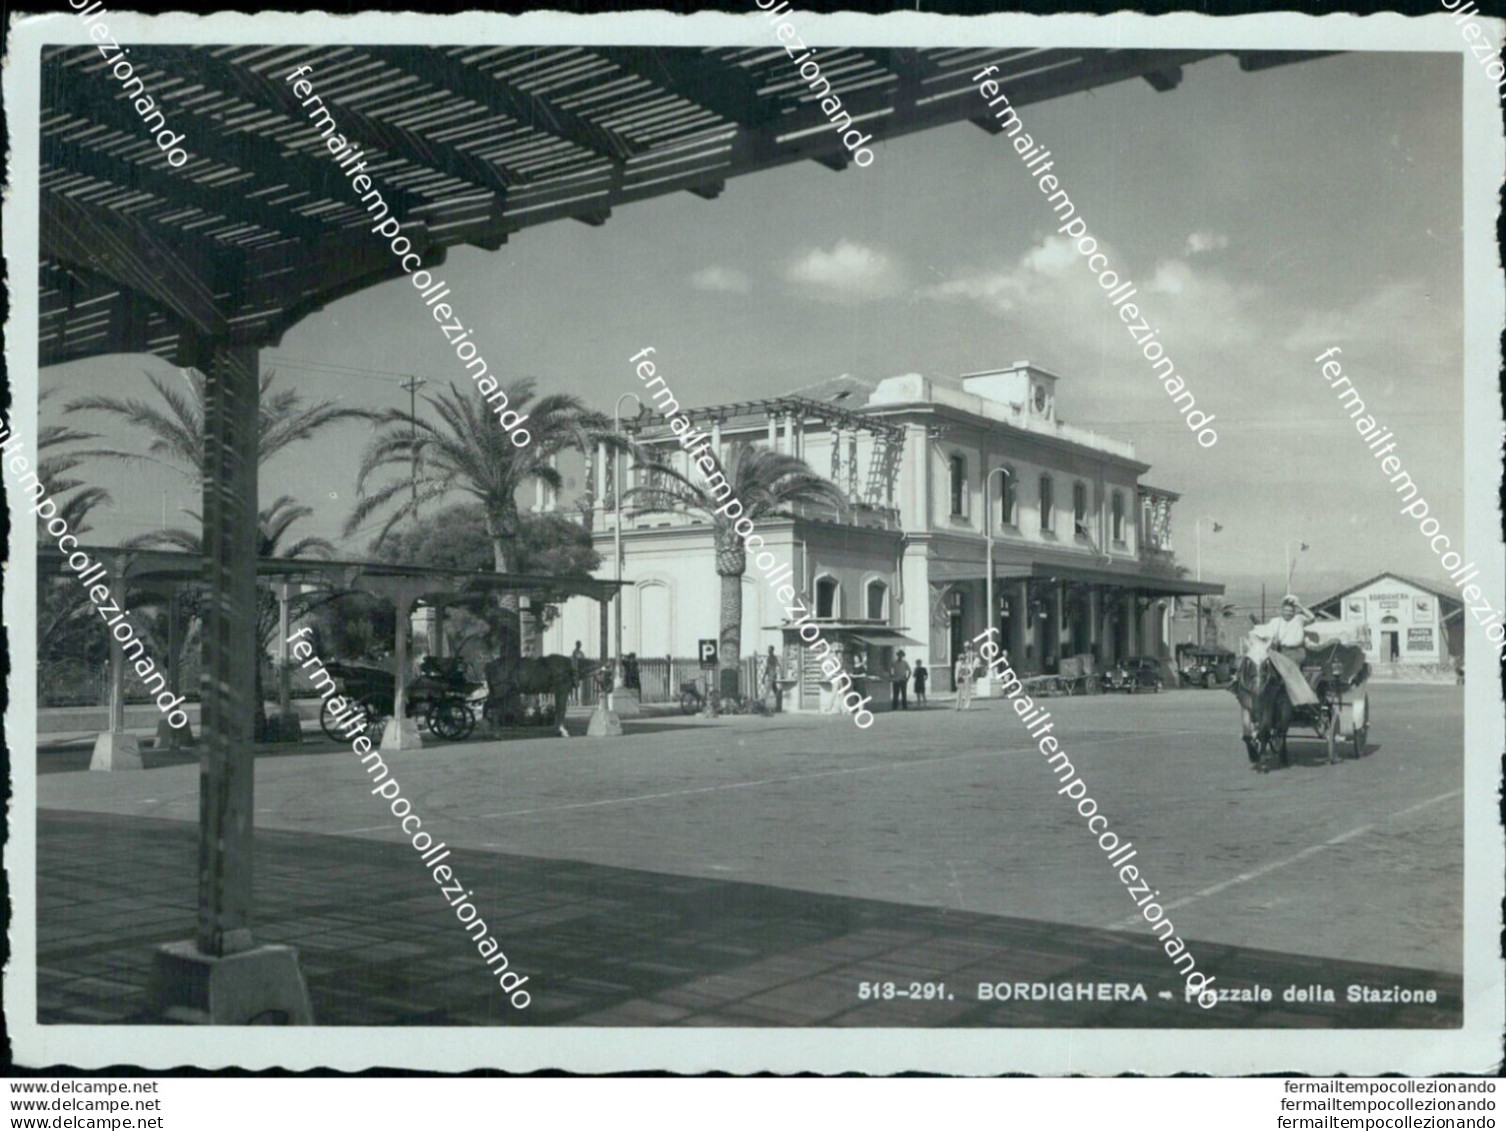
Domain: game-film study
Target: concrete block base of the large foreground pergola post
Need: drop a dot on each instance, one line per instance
(261, 986)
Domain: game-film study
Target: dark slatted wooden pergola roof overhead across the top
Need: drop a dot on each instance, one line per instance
(466, 145)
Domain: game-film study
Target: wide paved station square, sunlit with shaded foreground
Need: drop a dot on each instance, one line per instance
(757, 871)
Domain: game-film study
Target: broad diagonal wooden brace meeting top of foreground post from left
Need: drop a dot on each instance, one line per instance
(174, 272)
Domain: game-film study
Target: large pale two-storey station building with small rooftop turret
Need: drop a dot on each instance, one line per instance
(933, 468)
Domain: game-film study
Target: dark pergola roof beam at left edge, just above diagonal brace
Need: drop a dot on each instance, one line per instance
(154, 177)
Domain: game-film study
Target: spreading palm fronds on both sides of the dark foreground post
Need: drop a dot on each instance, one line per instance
(177, 425)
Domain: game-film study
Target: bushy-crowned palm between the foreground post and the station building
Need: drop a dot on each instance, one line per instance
(462, 450)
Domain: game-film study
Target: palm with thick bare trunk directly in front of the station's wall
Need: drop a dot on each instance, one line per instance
(767, 484)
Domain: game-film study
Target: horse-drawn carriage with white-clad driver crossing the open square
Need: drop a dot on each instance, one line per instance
(1338, 672)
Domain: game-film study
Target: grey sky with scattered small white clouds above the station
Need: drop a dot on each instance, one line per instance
(1264, 218)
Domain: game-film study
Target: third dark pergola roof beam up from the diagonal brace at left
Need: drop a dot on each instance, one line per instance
(362, 130)
